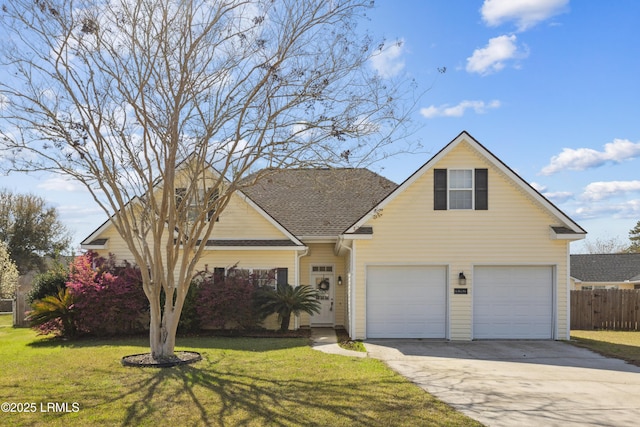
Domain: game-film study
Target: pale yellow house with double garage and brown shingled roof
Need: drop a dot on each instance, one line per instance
(463, 249)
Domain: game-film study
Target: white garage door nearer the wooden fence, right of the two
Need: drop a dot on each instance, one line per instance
(513, 302)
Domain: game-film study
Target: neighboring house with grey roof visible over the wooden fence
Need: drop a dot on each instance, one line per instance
(605, 271)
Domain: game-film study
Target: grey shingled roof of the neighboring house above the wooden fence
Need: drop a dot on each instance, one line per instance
(606, 267)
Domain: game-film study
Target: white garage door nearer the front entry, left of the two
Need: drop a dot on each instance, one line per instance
(406, 302)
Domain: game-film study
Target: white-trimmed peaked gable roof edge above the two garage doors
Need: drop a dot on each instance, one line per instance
(569, 229)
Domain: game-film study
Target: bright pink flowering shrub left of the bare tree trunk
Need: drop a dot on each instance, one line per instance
(108, 297)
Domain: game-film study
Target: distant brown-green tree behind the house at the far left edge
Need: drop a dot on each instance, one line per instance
(31, 230)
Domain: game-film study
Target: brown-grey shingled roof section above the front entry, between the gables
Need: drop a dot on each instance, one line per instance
(319, 202)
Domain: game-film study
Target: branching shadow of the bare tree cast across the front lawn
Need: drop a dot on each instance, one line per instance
(243, 398)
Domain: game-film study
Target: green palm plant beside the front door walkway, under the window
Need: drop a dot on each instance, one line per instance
(287, 300)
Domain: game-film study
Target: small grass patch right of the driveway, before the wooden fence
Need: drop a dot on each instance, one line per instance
(623, 345)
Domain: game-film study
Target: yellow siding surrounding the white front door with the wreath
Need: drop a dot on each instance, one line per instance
(323, 254)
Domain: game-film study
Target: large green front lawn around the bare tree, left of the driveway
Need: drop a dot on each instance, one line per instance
(240, 381)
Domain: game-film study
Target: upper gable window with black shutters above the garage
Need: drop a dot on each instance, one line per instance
(460, 189)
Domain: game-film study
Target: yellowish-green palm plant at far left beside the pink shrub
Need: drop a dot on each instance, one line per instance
(54, 314)
